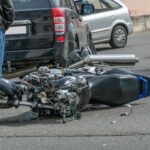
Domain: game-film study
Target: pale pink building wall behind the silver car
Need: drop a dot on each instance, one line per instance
(138, 7)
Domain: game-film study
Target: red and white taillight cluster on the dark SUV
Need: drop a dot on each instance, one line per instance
(59, 19)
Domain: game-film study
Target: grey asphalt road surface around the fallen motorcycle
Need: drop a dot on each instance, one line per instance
(100, 128)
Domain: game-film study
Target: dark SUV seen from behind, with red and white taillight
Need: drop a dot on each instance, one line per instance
(44, 31)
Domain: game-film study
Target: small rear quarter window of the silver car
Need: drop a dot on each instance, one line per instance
(109, 5)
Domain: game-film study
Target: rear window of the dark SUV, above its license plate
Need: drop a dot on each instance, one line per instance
(31, 4)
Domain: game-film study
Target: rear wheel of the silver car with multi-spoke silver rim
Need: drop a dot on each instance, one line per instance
(119, 37)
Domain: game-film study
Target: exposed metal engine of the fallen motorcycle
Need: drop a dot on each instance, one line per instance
(68, 94)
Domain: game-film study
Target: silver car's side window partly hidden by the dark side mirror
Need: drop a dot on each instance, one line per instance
(96, 4)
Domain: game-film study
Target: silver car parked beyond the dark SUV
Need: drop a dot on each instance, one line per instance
(109, 21)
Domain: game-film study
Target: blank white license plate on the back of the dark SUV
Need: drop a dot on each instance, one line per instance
(17, 30)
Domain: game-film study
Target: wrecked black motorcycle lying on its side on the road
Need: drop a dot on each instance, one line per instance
(66, 92)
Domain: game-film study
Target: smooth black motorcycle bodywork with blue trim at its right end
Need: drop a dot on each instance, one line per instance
(118, 87)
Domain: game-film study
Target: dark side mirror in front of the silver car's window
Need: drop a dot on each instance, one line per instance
(87, 9)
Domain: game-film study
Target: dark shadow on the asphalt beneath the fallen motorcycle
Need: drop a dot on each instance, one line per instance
(28, 117)
